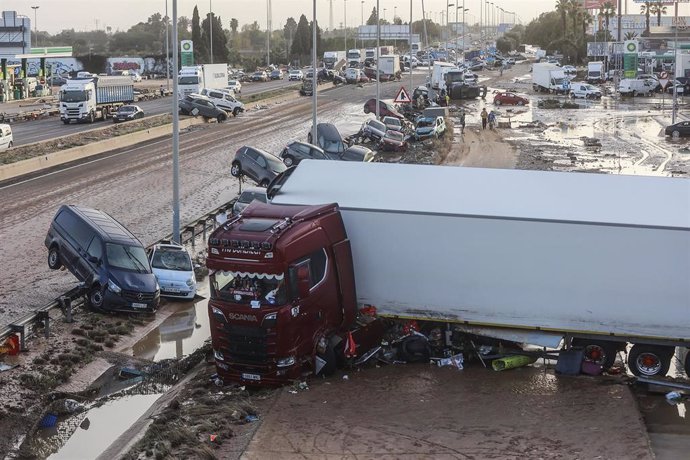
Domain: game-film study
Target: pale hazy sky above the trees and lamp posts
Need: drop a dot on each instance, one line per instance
(55, 15)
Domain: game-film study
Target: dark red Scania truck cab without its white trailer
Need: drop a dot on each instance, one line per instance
(282, 293)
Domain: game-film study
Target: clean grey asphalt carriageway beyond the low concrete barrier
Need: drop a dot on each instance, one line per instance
(51, 128)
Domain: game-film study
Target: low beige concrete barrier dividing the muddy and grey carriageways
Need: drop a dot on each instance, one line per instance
(19, 168)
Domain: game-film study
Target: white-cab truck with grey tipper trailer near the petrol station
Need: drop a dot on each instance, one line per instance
(91, 98)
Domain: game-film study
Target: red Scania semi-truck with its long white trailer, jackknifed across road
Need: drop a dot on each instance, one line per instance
(598, 261)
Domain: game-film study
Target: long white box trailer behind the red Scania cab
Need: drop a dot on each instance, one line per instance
(537, 257)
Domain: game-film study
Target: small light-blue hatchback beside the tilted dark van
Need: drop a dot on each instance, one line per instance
(174, 270)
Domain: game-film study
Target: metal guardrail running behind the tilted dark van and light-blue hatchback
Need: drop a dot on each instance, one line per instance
(189, 233)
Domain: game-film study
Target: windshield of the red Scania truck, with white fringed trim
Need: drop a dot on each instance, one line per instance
(245, 288)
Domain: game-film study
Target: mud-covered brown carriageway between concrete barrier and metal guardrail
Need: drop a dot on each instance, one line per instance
(135, 186)
